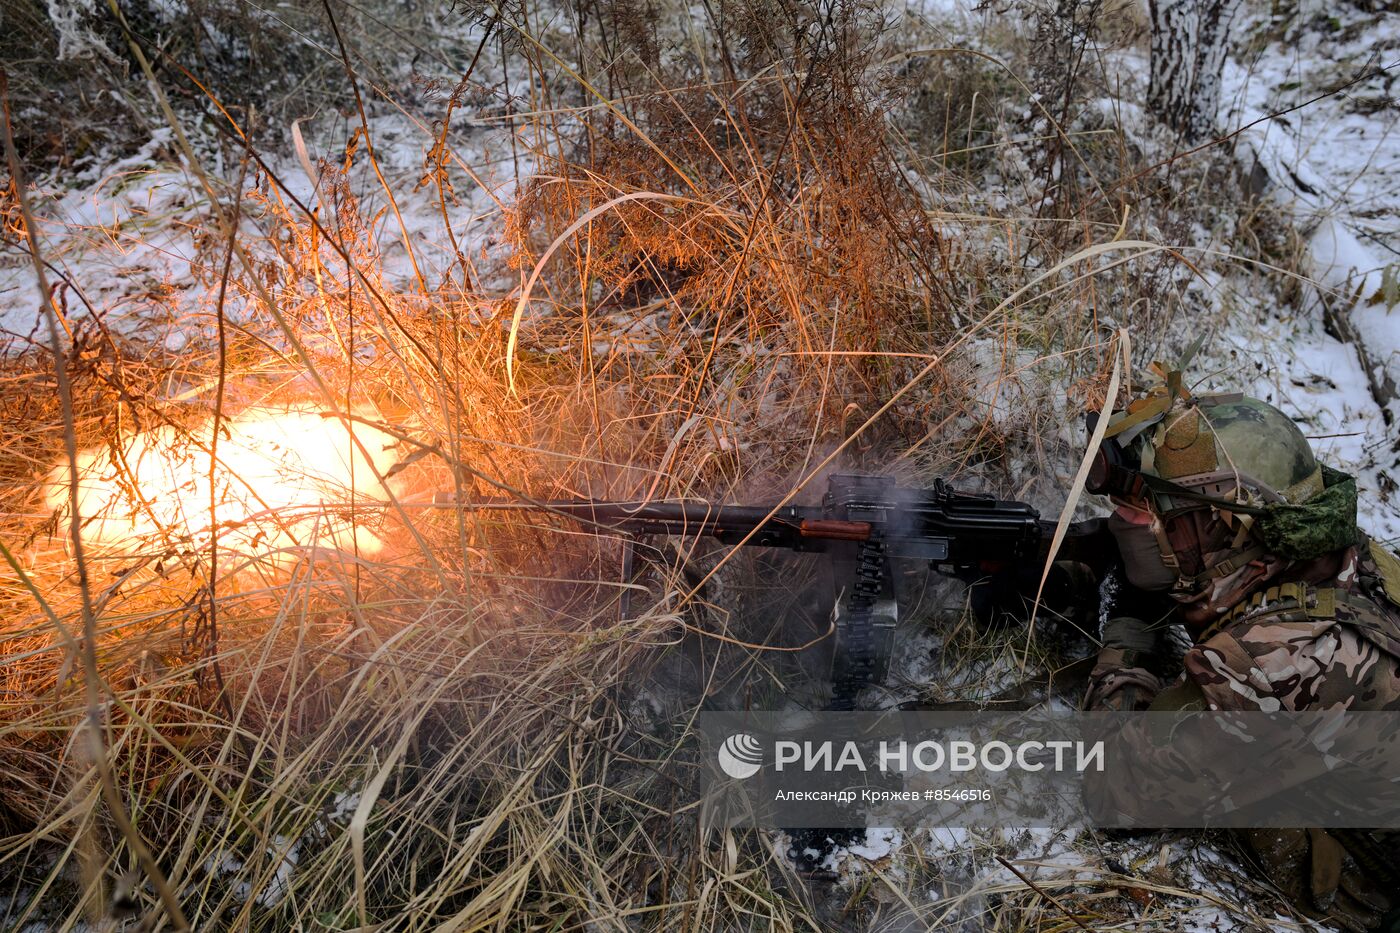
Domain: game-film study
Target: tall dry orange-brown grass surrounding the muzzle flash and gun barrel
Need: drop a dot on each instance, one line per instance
(724, 285)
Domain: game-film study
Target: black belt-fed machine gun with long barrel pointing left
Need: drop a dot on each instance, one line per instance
(863, 525)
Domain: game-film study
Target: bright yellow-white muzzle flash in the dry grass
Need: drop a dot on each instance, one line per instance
(283, 485)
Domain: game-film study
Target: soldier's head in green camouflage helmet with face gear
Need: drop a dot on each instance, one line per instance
(1224, 480)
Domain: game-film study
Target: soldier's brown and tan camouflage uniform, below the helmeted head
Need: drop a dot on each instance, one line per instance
(1298, 644)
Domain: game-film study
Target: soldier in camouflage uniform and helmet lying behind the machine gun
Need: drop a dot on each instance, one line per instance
(1290, 609)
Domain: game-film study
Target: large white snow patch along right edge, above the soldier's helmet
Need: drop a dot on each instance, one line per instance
(1333, 167)
